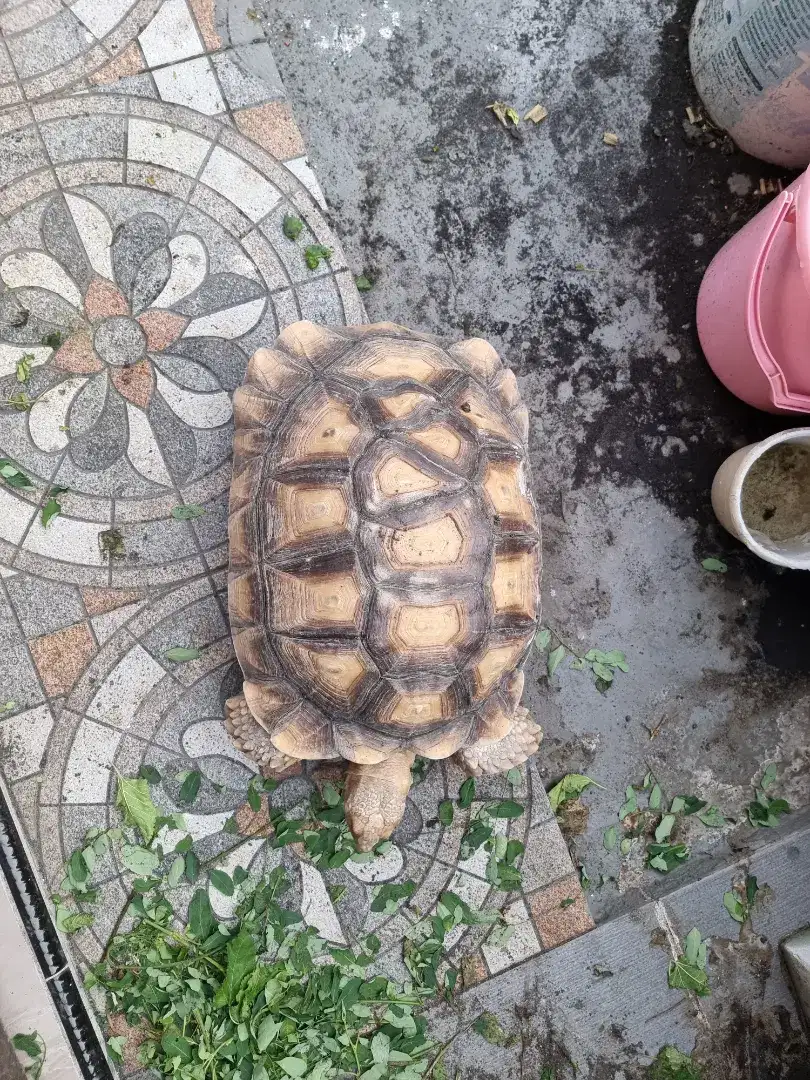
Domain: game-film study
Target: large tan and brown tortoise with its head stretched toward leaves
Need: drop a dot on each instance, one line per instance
(385, 558)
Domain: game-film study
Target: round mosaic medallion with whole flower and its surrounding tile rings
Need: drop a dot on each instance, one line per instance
(138, 287)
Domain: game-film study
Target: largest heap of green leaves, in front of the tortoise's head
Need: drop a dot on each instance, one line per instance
(261, 1000)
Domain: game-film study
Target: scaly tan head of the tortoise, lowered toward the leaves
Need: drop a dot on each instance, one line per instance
(375, 798)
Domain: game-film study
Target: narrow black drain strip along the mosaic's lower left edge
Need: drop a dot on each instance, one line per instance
(48, 950)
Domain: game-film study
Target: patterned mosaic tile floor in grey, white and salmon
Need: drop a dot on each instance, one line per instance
(147, 160)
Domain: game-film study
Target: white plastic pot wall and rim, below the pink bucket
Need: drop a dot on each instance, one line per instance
(727, 504)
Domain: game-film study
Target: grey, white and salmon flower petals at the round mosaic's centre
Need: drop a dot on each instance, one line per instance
(126, 306)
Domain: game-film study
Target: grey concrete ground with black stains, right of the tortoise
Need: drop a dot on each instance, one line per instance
(582, 263)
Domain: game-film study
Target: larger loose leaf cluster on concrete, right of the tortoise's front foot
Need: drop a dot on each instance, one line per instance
(656, 827)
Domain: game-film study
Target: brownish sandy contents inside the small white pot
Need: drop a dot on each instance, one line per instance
(776, 495)
